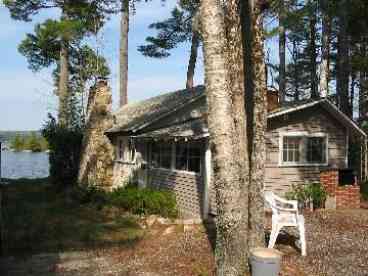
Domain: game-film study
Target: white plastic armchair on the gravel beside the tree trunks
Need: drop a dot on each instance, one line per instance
(285, 214)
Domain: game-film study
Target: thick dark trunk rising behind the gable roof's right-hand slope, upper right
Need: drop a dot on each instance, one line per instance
(342, 82)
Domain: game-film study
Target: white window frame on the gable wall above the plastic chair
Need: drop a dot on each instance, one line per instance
(303, 151)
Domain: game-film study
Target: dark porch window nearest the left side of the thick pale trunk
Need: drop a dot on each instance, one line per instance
(188, 157)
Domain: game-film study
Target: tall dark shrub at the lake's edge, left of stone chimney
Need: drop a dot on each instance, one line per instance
(65, 149)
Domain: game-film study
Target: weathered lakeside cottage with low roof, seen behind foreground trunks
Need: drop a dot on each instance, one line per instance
(163, 142)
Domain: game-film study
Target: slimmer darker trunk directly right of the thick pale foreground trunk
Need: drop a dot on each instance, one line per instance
(259, 125)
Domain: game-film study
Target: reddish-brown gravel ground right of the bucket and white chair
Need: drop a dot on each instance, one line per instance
(337, 244)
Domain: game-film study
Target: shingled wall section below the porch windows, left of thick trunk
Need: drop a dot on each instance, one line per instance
(187, 187)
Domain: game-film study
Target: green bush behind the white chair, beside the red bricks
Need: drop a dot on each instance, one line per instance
(311, 192)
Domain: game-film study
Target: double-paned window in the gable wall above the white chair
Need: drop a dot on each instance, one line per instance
(304, 149)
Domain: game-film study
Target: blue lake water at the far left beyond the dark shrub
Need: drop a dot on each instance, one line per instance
(24, 164)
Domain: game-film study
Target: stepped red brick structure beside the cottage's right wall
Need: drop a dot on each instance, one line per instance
(339, 197)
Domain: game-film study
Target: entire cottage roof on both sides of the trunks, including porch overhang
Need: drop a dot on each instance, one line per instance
(136, 116)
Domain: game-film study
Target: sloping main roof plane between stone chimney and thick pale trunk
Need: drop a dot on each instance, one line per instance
(135, 116)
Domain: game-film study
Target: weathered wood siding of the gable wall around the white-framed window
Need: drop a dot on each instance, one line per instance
(314, 120)
